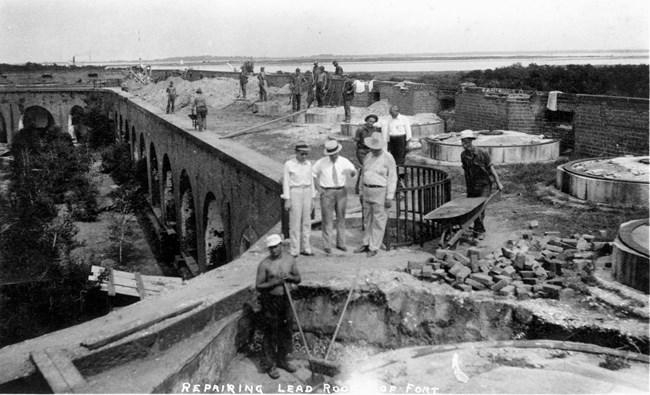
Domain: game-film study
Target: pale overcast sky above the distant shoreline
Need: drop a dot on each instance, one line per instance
(106, 30)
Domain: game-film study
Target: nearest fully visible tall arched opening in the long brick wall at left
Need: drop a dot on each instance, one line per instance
(216, 253)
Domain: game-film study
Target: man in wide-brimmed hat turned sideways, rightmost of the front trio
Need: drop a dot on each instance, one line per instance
(378, 184)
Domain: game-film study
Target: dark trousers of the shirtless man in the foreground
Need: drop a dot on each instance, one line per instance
(277, 342)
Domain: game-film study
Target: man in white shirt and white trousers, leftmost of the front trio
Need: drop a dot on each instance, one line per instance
(298, 192)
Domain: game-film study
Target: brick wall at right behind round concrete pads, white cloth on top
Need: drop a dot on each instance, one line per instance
(592, 125)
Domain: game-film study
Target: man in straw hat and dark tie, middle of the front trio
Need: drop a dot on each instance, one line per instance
(330, 174)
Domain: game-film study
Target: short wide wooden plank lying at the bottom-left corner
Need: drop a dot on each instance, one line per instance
(58, 370)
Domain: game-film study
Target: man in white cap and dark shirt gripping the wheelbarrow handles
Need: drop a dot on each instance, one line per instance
(478, 168)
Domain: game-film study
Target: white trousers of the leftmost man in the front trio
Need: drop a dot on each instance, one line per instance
(300, 220)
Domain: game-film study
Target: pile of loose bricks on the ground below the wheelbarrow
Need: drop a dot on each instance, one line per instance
(530, 267)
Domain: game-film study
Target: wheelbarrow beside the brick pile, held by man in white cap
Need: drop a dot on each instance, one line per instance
(456, 216)
